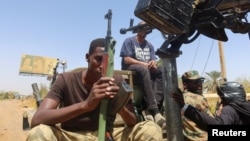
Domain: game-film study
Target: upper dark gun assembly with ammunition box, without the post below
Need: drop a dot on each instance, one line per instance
(181, 24)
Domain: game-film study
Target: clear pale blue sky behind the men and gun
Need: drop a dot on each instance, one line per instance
(63, 29)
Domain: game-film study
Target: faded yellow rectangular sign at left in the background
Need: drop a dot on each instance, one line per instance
(37, 65)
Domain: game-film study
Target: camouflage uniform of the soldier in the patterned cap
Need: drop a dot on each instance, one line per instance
(190, 129)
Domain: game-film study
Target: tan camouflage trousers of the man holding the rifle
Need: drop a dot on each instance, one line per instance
(143, 131)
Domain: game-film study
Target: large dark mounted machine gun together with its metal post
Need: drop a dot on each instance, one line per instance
(181, 23)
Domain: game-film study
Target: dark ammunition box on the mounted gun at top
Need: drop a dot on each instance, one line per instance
(168, 16)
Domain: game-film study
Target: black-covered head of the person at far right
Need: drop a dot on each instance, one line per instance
(231, 92)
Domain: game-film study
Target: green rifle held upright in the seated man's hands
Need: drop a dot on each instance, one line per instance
(108, 70)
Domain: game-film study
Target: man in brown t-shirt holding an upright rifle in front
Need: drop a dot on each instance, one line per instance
(74, 103)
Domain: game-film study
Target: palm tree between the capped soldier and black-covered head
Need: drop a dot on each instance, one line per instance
(213, 79)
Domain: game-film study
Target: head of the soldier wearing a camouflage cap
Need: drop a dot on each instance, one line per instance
(193, 82)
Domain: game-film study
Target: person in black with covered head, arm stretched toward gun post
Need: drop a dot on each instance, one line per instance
(235, 108)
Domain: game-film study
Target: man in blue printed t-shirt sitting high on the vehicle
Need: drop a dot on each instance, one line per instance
(138, 55)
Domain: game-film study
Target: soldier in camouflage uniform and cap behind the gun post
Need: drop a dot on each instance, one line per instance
(192, 93)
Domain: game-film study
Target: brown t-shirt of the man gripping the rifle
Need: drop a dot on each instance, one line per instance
(68, 89)
